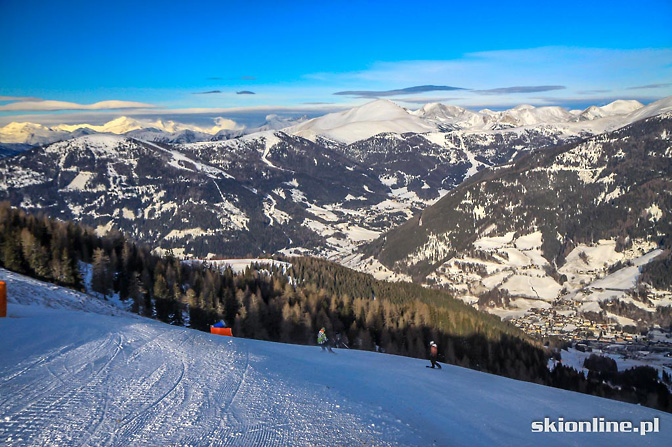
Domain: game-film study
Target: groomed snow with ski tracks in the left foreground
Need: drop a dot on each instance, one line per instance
(139, 383)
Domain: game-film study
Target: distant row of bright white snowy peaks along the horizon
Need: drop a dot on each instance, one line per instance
(357, 124)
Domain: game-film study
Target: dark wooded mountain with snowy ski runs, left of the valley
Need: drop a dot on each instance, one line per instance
(234, 197)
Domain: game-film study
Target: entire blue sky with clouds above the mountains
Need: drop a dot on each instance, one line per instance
(86, 60)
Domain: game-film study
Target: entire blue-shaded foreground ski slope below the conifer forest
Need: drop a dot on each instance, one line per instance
(70, 375)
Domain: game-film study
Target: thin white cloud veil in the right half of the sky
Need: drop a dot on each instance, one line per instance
(577, 69)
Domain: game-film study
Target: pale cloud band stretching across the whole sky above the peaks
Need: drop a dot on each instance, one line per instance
(512, 76)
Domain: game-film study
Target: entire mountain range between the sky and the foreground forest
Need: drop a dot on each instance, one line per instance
(470, 201)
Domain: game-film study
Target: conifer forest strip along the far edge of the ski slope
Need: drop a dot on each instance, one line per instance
(288, 305)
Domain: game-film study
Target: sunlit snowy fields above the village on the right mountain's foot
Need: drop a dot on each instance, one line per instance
(517, 265)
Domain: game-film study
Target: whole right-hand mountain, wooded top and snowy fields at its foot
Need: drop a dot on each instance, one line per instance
(567, 229)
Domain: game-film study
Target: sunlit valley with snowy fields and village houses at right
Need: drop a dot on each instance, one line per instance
(594, 303)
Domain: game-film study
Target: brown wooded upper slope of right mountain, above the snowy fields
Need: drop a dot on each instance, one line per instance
(612, 186)
